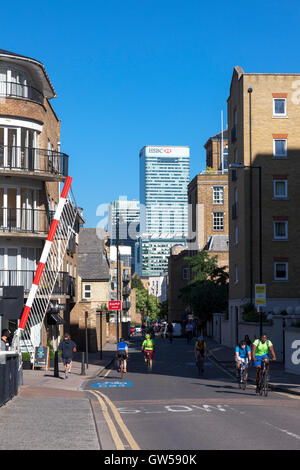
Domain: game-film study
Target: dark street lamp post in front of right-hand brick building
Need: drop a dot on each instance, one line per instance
(242, 166)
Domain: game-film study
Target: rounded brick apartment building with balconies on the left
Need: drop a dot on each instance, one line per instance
(32, 168)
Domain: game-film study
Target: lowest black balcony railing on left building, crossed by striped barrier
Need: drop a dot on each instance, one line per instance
(65, 284)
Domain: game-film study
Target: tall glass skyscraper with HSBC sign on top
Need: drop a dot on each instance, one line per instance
(164, 177)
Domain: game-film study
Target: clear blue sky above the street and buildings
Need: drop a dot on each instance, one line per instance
(130, 73)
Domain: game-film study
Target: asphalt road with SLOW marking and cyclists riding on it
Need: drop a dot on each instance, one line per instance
(173, 408)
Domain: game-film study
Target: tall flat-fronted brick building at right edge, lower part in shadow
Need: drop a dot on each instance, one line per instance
(263, 122)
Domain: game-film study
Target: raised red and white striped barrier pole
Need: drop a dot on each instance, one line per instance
(45, 253)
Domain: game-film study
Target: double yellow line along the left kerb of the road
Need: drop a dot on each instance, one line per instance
(106, 404)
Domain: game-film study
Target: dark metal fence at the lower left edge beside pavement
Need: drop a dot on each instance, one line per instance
(9, 376)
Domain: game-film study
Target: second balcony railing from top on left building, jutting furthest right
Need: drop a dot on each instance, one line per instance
(33, 160)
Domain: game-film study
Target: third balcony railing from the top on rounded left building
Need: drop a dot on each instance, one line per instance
(25, 220)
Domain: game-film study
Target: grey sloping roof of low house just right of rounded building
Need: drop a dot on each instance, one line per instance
(92, 262)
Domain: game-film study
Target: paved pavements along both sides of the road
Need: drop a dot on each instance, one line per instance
(54, 413)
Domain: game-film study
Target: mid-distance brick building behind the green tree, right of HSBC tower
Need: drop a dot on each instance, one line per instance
(208, 221)
